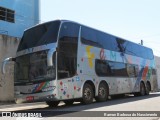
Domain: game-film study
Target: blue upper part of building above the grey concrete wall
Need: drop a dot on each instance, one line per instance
(17, 15)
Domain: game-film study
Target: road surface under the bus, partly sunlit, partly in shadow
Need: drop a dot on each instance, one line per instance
(118, 108)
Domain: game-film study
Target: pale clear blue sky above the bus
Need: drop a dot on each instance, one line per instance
(133, 20)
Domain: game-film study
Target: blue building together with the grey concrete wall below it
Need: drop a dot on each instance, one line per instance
(15, 17)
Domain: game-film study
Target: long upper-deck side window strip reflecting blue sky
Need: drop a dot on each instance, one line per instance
(103, 40)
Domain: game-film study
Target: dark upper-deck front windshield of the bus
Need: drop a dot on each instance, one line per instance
(40, 35)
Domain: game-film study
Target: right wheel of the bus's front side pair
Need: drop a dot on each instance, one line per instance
(102, 93)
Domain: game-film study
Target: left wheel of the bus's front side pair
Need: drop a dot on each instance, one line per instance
(87, 94)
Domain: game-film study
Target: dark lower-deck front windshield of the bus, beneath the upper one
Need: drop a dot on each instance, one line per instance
(33, 67)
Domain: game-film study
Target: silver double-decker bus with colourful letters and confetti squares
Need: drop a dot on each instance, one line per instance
(66, 61)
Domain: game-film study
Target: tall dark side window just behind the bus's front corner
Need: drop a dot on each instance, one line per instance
(68, 45)
